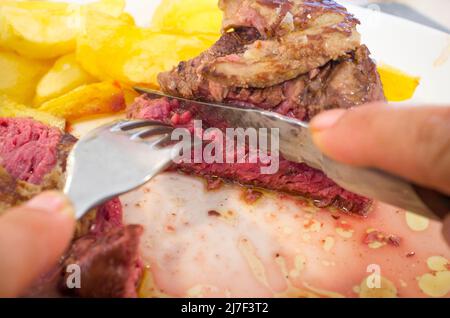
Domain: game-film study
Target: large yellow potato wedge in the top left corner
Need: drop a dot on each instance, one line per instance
(44, 29)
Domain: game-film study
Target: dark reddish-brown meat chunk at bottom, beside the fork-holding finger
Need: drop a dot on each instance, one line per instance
(110, 263)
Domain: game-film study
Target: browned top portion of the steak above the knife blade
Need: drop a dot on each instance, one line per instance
(284, 71)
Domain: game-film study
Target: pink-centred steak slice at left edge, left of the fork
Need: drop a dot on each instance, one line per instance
(32, 159)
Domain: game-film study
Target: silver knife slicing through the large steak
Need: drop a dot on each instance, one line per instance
(296, 145)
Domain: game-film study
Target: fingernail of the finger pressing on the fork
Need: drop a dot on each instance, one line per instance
(53, 202)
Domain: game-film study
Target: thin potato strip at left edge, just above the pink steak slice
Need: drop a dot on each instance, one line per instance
(9, 108)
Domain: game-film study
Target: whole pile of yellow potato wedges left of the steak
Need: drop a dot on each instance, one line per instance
(62, 62)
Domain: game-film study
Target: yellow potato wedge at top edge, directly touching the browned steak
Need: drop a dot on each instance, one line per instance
(188, 17)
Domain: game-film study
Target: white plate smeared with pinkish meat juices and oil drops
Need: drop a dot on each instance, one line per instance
(277, 246)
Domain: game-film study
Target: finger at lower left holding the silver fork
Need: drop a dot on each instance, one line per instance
(32, 239)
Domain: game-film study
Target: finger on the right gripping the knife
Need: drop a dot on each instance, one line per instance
(412, 142)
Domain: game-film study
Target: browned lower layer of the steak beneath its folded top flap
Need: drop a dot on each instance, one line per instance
(350, 81)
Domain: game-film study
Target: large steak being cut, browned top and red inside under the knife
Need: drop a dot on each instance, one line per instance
(293, 57)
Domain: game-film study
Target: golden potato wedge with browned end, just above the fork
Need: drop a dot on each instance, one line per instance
(87, 100)
